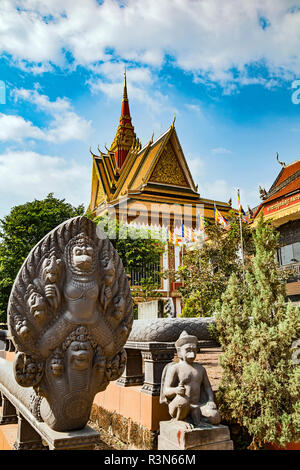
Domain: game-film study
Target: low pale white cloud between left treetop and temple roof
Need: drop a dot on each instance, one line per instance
(26, 176)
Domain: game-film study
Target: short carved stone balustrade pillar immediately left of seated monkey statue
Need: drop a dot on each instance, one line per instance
(156, 356)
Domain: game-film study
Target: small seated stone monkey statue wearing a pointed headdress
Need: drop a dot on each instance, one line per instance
(185, 386)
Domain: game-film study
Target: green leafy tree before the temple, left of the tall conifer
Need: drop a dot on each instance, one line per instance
(207, 269)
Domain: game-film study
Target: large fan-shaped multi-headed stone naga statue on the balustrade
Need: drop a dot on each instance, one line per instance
(70, 313)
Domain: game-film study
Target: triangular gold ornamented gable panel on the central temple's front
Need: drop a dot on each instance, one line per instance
(168, 169)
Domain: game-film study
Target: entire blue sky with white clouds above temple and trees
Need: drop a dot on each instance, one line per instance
(225, 69)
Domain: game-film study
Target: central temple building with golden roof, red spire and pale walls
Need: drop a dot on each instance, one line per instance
(149, 185)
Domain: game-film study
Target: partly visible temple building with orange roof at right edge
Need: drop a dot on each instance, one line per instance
(281, 204)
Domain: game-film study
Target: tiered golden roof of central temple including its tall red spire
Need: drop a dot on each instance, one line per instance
(155, 173)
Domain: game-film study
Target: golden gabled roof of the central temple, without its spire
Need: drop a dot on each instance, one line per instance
(160, 165)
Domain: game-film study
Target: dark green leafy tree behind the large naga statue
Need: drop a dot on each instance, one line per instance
(21, 230)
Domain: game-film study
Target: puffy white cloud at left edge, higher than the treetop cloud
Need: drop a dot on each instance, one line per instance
(65, 123)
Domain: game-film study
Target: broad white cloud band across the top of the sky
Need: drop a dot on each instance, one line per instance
(205, 37)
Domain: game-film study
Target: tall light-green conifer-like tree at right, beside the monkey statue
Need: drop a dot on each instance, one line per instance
(260, 385)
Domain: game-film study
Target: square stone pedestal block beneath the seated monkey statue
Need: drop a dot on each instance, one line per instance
(175, 435)
